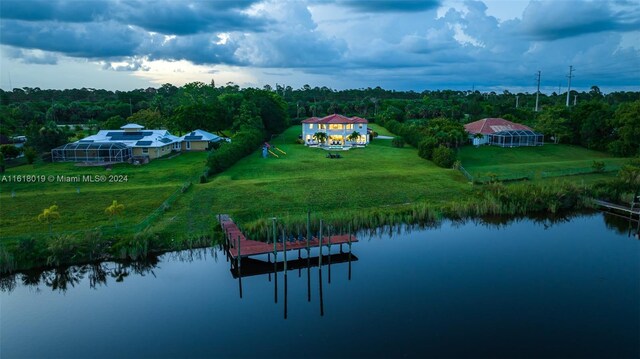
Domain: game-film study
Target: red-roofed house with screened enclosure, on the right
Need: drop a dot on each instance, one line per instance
(503, 133)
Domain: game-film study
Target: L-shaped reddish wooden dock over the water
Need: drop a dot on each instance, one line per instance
(241, 246)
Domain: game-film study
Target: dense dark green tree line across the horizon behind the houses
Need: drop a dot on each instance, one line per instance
(607, 122)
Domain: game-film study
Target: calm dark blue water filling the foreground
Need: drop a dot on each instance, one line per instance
(521, 289)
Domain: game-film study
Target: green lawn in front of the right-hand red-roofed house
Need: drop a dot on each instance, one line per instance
(534, 162)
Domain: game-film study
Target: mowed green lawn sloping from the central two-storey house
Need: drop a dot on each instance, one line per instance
(376, 176)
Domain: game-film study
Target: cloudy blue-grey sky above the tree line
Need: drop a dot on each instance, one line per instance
(404, 45)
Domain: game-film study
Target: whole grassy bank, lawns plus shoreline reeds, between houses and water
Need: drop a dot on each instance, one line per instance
(166, 209)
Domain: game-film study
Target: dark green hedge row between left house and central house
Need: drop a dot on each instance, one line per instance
(244, 142)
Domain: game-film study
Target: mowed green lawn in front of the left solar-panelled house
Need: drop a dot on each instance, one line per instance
(145, 189)
